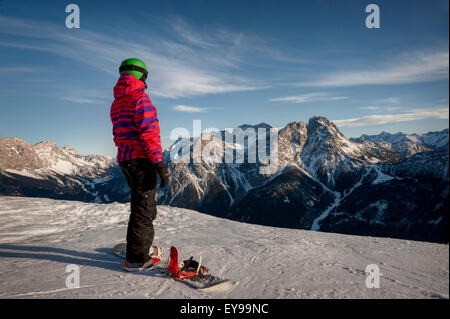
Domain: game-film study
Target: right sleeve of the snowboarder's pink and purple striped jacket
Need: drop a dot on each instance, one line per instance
(146, 121)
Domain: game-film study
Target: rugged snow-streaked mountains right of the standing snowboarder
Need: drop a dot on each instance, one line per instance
(324, 181)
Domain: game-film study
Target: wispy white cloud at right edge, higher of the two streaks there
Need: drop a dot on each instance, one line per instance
(413, 68)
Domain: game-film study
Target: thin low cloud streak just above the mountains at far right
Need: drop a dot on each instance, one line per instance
(411, 115)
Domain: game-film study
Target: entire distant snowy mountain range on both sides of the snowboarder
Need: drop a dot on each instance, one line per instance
(390, 185)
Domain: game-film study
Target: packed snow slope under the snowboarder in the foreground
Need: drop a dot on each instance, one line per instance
(40, 237)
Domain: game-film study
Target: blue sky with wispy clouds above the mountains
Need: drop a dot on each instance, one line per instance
(224, 62)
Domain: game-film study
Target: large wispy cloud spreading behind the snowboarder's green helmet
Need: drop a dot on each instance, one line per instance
(191, 64)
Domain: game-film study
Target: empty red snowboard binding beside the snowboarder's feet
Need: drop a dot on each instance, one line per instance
(188, 269)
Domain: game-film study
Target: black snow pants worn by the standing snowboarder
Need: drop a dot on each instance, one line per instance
(141, 178)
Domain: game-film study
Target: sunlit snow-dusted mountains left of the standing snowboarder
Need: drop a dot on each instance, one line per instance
(45, 170)
